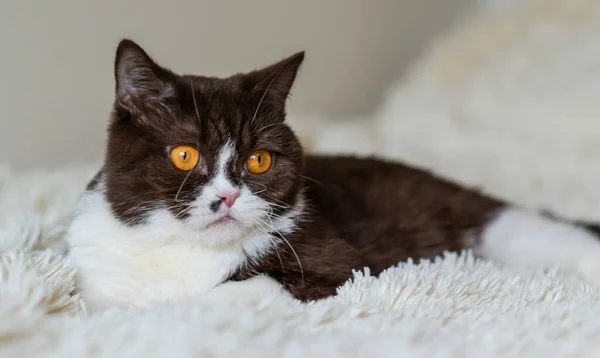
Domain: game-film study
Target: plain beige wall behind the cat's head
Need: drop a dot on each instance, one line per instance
(56, 57)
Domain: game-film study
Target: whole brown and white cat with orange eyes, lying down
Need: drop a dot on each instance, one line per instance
(204, 185)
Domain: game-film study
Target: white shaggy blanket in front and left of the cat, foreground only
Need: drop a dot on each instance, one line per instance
(453, 307)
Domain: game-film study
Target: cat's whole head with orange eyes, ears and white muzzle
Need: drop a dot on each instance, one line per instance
(213, 153)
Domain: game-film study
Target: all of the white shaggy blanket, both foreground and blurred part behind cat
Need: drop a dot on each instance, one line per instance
(456, 306)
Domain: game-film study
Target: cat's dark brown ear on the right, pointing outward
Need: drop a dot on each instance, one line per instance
(274, 82)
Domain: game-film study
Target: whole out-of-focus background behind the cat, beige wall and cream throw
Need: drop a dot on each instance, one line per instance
(498, 94)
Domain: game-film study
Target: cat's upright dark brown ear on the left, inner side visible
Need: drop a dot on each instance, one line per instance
(141, 84)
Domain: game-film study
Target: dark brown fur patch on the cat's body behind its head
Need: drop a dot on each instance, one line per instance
(371, 213)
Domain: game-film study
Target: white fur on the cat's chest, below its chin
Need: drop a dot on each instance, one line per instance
(160, 261)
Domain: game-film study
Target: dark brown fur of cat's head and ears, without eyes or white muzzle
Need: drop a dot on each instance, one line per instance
(156, 109)
